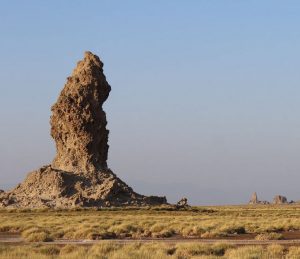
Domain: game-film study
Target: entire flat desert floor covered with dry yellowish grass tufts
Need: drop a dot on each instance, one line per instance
(262, 231)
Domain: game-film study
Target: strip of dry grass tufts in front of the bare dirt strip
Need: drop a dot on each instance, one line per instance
(107, 250)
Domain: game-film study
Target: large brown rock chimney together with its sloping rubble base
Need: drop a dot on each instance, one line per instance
(78, 175)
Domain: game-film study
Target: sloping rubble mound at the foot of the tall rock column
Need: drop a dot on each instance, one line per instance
(48, 187)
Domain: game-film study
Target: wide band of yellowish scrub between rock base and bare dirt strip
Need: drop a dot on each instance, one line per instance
(264, 222)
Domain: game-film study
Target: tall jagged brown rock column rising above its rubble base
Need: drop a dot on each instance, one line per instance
(78, 122)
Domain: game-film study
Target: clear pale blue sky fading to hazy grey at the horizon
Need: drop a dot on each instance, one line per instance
(205, 94)
